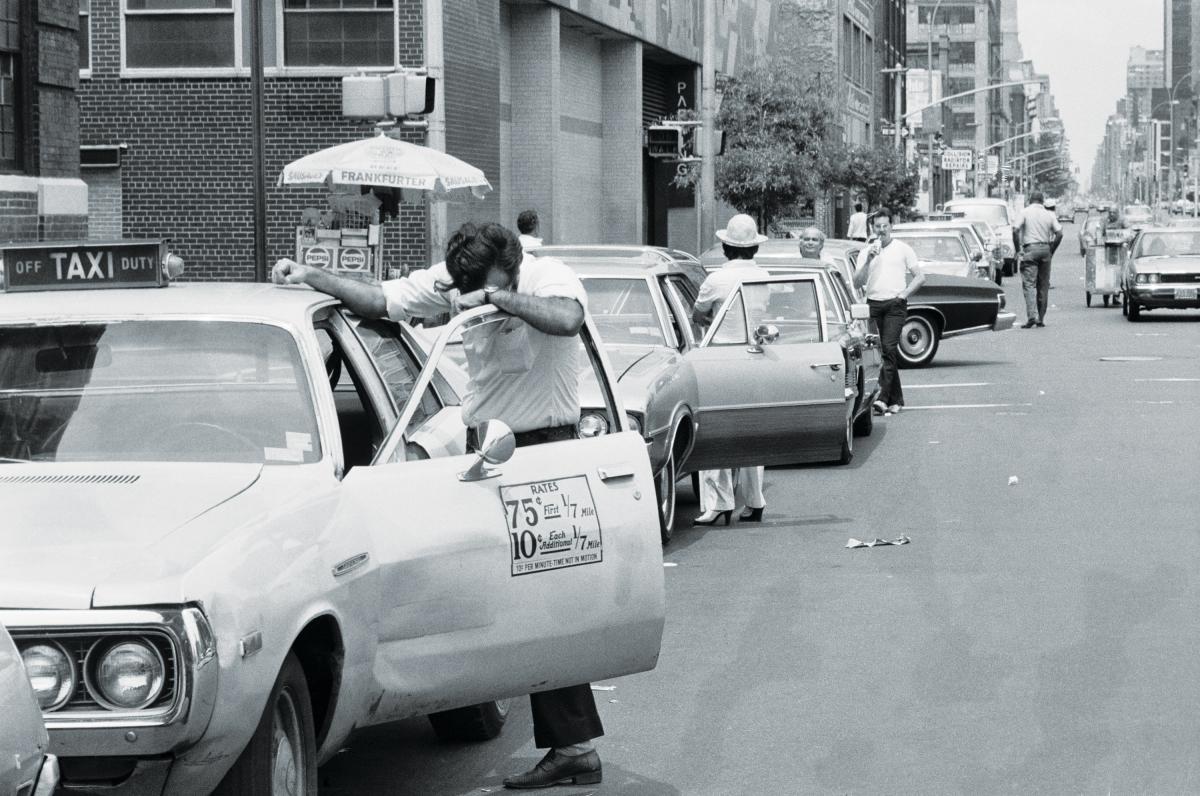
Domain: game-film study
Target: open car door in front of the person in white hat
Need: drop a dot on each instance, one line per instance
(772, 386)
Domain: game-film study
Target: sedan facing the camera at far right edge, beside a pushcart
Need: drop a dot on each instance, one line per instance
(1162, 272)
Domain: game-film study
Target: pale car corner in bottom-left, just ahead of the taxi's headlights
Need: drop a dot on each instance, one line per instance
(26, 768)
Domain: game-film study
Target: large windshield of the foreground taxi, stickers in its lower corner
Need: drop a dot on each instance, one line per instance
(155, 391)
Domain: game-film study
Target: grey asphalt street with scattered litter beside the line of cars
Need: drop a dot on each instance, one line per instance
(1039, 636)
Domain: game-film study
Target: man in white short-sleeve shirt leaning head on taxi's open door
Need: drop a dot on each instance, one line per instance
(524, 372)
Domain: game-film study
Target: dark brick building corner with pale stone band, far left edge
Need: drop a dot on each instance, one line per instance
(41, 194)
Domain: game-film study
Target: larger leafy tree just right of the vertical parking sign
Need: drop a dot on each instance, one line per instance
(775, 122)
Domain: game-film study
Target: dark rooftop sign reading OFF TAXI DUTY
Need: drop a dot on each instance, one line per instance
(82, 266)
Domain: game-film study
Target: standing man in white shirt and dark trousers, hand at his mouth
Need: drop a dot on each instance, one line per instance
(891, 276)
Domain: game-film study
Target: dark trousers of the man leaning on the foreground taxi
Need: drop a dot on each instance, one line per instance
(567, 716)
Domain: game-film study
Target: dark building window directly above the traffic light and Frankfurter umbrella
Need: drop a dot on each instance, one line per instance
(339, 33)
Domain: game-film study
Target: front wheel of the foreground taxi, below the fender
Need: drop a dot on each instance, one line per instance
(284, 745)
